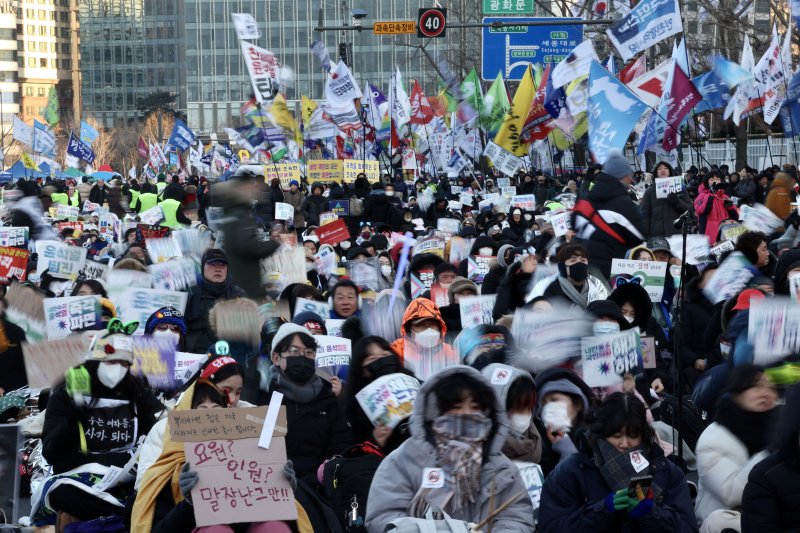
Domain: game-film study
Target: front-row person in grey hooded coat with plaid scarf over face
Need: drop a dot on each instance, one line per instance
(458, 428)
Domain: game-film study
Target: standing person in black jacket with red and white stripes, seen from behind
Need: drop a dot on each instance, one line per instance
(607, 222)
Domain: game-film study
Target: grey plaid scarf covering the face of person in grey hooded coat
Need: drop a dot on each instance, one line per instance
(459, 453)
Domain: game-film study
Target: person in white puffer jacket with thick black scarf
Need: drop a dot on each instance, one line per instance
(732, 445)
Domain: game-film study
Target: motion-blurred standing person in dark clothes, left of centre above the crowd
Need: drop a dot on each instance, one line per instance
(244, 244)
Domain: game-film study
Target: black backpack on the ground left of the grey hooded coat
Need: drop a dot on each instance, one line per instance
(346, 480)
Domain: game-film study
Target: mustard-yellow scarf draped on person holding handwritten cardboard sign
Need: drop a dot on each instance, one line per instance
(167, 469)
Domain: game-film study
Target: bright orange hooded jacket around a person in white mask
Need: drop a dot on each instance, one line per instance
(406, 348)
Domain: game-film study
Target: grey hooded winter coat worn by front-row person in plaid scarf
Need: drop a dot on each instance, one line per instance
(399, 476)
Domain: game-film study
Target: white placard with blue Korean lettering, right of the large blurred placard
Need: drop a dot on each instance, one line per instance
(607, 357)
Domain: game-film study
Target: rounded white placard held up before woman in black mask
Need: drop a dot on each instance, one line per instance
(389, 400)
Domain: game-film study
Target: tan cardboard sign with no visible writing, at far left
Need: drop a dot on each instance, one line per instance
(46, 362)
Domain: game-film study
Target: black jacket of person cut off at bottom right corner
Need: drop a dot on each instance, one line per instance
(771, 500)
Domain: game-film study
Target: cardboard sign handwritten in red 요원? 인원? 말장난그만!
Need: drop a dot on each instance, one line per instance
(238, 482)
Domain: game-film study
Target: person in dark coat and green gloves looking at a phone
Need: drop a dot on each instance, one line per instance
(619, 480)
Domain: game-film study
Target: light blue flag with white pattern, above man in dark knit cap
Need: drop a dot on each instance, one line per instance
(613, 111)
